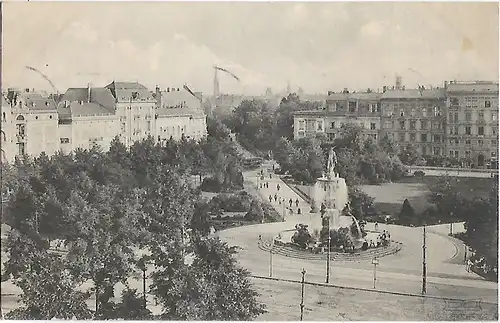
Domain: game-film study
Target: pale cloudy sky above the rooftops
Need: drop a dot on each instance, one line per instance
(317, 46)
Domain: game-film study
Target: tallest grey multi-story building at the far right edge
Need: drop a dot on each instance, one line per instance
(472, 124)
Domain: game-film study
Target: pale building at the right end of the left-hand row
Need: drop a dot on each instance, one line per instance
(179, 114)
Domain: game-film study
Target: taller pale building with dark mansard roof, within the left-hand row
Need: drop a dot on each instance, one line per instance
(135, 108)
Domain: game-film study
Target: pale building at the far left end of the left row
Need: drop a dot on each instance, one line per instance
(30, 125)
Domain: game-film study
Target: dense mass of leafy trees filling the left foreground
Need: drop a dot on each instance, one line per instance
(106, 206)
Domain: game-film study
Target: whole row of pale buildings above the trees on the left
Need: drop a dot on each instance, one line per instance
(88, 117)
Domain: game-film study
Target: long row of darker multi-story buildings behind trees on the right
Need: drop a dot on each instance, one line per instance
(459, 120)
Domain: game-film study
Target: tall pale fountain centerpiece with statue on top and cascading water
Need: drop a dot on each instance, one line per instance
(331, 190)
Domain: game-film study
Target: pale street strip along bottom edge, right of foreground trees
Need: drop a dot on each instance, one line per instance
(333, 304)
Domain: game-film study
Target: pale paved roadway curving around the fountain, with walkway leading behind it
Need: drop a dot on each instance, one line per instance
(399, 272)
